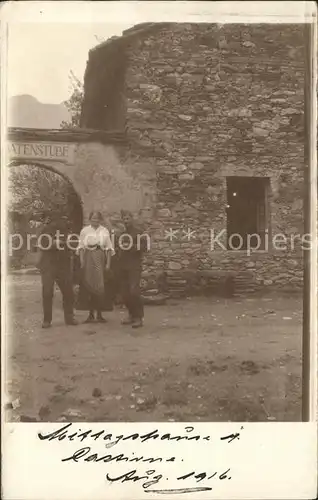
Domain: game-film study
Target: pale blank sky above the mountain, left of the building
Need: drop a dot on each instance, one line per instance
(41, 56)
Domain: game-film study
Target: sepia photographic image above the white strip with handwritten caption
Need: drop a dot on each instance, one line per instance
(156, 222)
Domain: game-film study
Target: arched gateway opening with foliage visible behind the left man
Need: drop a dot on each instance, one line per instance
(38, 190)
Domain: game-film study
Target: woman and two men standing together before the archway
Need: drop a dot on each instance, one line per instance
(106, 269)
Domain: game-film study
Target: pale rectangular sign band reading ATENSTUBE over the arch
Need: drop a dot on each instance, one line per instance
(53, 151)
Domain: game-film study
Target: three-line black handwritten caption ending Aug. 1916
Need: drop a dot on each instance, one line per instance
(150, 480)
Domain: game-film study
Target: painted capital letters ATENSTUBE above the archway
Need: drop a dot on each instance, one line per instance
(38, 150)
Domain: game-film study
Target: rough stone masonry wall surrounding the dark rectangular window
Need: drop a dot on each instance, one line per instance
(205, 102)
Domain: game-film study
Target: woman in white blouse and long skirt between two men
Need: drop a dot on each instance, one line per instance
(95, 250)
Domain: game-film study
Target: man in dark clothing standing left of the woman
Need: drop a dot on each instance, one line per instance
(55, 266)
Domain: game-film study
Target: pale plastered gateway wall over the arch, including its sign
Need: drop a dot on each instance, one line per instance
(87, 158)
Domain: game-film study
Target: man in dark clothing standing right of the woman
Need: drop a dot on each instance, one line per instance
(131, 249)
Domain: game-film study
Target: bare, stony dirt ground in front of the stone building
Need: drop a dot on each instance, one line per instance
(200, 359)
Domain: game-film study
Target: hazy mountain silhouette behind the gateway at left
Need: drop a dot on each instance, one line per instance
(25, 111)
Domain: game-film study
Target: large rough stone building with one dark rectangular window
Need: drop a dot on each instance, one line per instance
(213, 121)
